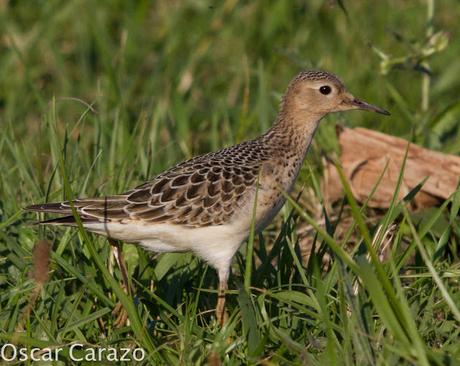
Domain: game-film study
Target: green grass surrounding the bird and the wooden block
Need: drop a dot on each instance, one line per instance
(96, 97)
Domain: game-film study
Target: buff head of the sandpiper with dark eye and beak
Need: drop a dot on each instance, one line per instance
(320, 93)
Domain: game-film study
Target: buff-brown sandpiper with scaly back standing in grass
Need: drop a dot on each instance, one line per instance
(207, 204)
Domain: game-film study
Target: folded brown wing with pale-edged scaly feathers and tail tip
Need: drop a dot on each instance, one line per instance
(199, 192)
